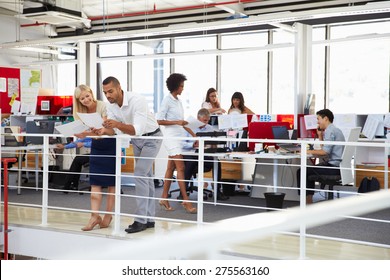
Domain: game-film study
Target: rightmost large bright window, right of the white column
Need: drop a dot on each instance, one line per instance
(359, 71)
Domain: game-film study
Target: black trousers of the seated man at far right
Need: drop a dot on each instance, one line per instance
(319, 169)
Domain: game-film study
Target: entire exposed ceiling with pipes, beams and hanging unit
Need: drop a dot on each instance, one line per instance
(70, 21)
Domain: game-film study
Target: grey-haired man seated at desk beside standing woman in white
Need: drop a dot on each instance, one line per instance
(191, 162)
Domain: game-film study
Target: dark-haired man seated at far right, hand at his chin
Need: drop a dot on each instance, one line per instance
(330, 155)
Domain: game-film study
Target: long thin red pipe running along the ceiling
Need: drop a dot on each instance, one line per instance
(178, 9)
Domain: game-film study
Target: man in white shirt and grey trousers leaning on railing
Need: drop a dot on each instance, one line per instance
(128, 113)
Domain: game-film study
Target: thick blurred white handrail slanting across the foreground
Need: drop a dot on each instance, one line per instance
(232, 231)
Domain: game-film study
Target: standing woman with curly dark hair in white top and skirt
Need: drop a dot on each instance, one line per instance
(171, 116)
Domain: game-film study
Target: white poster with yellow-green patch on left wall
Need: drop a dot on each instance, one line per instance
(30, 80)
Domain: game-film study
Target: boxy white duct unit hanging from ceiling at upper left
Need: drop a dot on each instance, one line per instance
(56, 12)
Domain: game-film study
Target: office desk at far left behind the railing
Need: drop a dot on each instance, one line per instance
(19, 151)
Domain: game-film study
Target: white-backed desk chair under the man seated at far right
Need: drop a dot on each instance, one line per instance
(346, 172)
